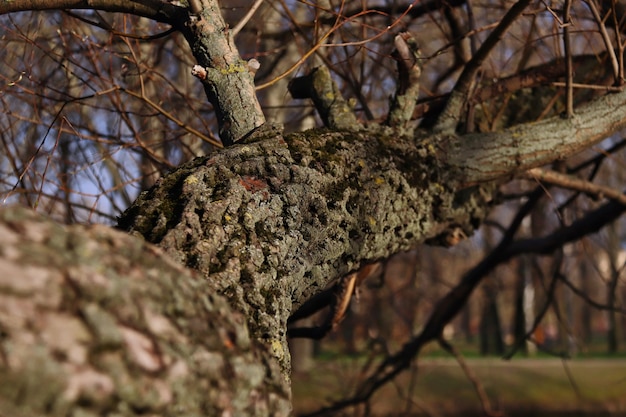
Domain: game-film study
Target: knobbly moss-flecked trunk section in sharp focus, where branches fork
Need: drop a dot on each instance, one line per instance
(270, 223)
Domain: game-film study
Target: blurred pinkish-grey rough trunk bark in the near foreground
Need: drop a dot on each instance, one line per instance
(96, 322)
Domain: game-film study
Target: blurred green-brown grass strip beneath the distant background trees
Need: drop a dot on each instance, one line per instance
(438, 387)
